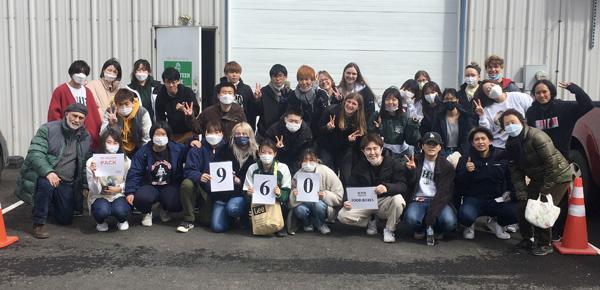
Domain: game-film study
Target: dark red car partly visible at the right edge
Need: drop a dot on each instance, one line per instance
(585, 153)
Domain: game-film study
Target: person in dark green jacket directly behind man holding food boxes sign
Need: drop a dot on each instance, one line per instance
(399, 134)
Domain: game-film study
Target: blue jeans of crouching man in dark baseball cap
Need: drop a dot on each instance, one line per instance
(415, 214)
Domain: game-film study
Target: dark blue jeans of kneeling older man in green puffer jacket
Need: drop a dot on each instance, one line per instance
(61, 198)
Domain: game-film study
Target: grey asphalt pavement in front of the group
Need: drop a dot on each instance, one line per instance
(78, 257)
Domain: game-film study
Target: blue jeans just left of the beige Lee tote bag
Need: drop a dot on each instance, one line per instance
(223, 212)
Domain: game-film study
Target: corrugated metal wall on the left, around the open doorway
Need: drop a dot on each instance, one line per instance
(40, 39)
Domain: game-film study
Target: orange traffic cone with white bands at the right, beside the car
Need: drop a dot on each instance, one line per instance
(574, 239)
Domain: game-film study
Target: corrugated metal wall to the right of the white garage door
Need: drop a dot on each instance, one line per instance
(528, 32)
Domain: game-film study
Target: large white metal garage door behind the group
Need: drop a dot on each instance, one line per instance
(389, 40)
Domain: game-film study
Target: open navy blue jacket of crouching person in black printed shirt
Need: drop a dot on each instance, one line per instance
(140, 174)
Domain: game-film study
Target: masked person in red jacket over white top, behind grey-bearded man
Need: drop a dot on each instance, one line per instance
(74, 91)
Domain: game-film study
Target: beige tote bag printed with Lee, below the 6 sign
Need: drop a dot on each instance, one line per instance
(266, 219)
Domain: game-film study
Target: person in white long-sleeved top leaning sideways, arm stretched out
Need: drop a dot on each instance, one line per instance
(491, 102)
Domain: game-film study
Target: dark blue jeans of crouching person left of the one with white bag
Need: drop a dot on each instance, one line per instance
(473, 207)
